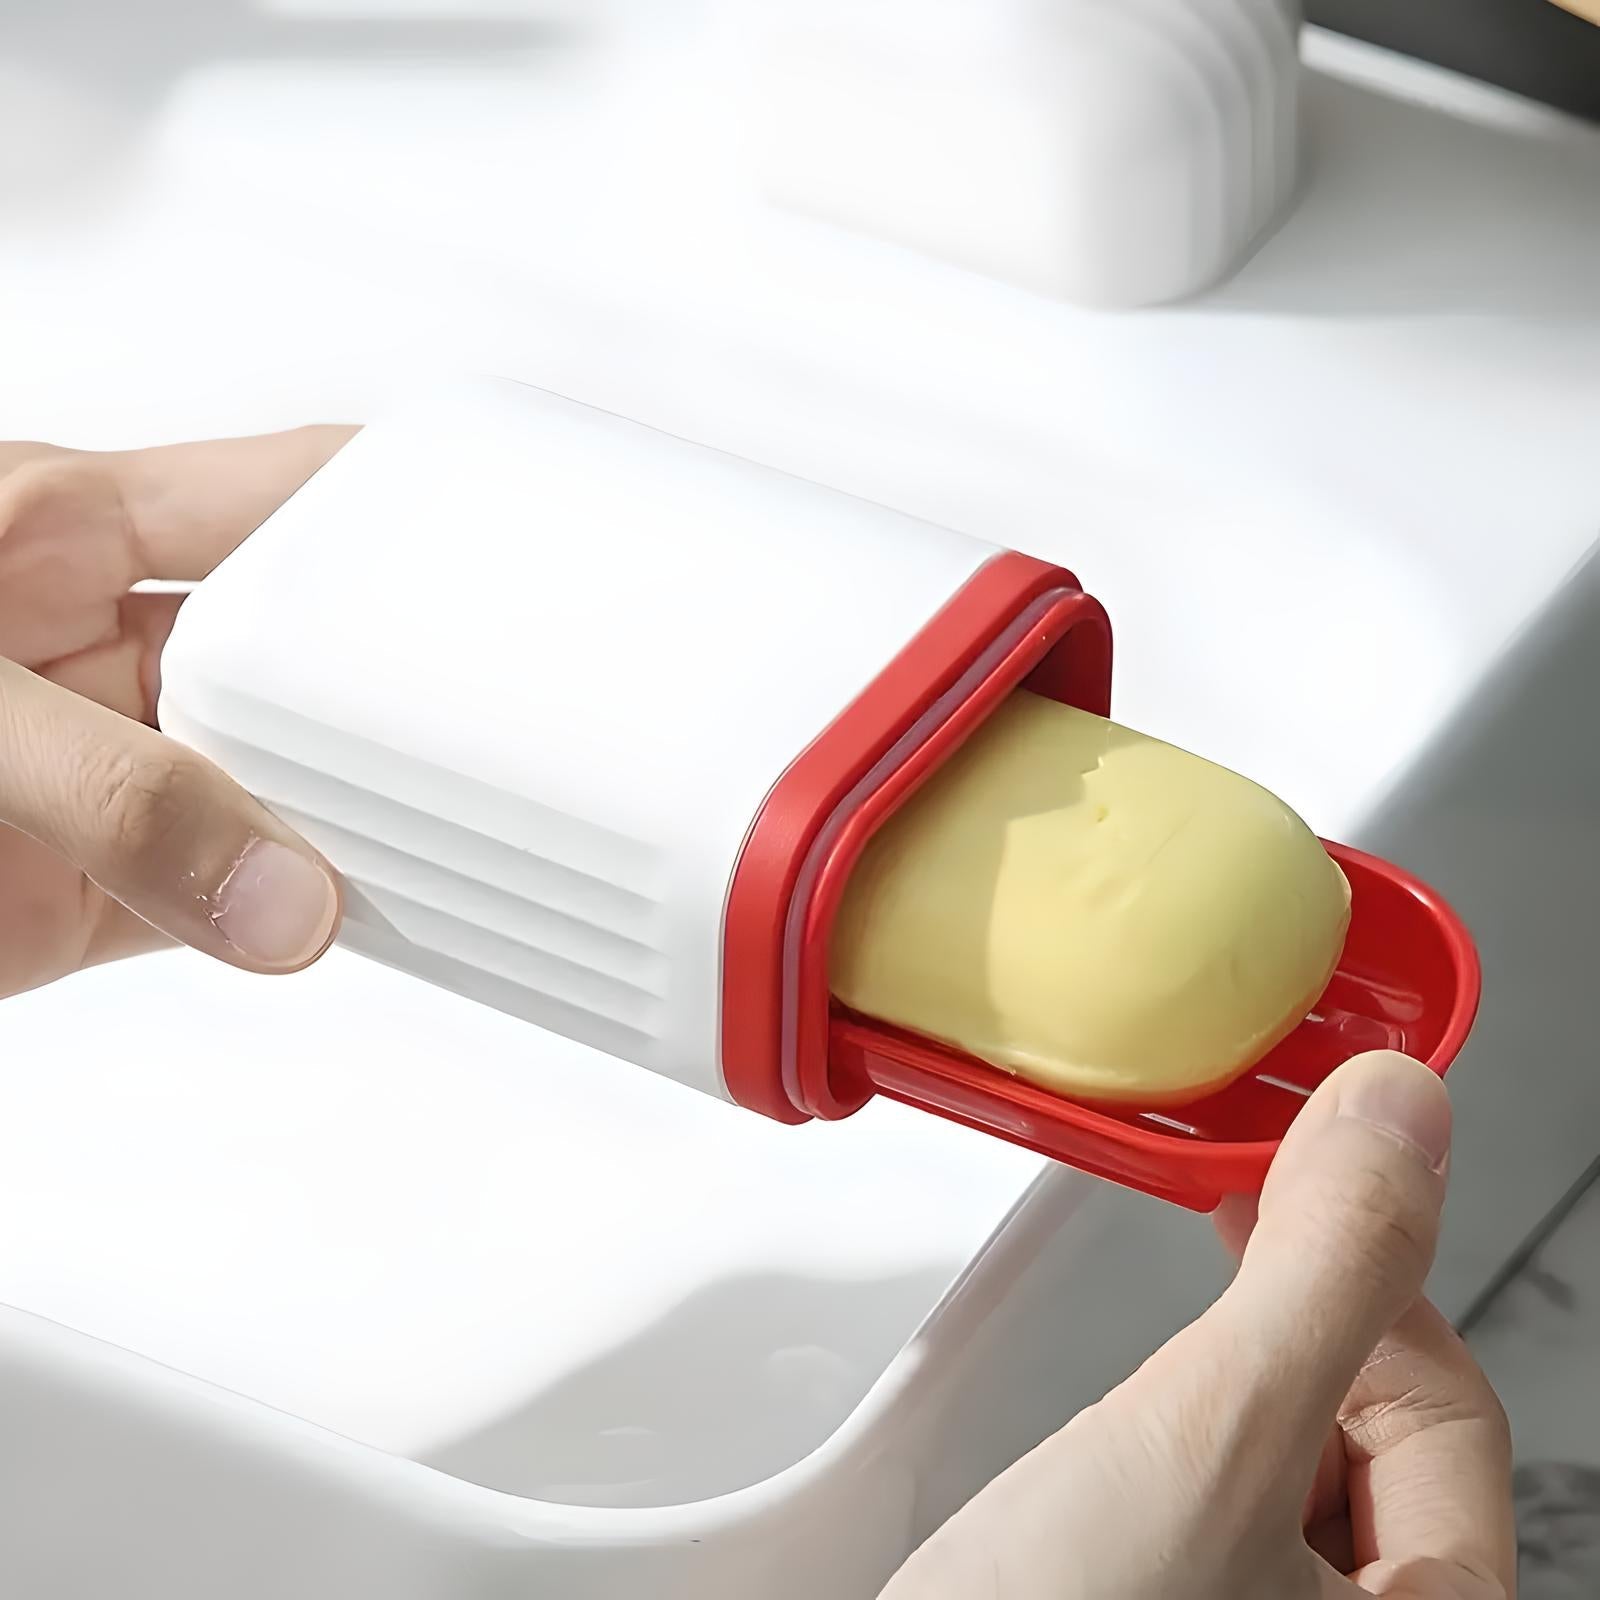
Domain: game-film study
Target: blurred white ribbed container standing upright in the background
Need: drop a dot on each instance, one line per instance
(1111, 153)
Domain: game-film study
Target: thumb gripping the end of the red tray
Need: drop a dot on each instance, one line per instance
(1343, 1244)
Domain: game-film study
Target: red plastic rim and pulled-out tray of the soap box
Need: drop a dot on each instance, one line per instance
(1409, 978)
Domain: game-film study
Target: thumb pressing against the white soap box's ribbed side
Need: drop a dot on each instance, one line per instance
(161, 830)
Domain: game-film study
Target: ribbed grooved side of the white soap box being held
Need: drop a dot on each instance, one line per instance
(508, 903)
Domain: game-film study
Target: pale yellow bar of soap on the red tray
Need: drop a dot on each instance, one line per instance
(1092, 910)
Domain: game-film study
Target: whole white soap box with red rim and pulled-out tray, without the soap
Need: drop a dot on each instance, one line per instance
(598, 722)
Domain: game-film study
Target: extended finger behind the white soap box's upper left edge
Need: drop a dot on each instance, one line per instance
(190, 506)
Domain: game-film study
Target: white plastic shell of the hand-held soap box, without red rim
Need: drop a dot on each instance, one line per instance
(550, 818)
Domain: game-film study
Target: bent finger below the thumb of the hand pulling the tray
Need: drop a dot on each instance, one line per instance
(1430, 1457)
